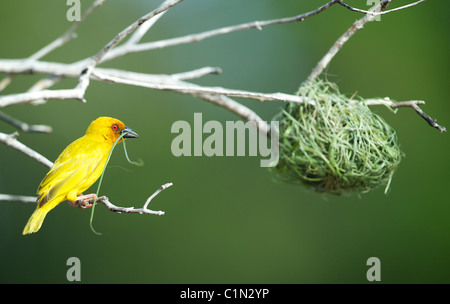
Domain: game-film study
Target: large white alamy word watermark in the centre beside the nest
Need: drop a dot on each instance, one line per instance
(234, 139)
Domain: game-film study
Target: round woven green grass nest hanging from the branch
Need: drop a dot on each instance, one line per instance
(337, 145)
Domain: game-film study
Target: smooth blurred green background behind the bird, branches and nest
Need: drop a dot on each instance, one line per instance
(226, 221)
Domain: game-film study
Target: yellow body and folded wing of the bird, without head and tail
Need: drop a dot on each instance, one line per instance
(76, 169)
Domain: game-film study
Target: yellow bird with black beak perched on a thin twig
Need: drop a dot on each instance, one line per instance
(77, 167)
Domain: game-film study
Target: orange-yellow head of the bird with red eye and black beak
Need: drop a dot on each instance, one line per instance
(109, 129)
